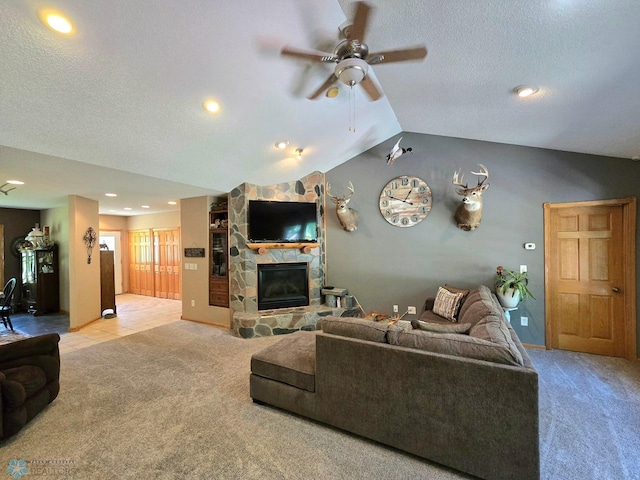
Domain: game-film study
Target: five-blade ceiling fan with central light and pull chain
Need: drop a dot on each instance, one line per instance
(352, 57)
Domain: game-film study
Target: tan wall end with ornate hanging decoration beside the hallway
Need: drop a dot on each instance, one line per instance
(84, 278)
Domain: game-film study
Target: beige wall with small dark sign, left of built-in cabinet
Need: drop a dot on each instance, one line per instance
(195, 283)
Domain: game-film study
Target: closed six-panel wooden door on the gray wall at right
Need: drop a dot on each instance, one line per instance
(587, 287)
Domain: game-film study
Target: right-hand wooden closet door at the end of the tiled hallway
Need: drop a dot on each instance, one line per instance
(167, 263)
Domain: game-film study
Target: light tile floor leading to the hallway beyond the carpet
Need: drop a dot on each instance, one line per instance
(136, 313)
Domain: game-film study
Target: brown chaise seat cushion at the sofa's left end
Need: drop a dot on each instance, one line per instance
(291, 360)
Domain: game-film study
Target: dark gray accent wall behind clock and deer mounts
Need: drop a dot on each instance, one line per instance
(383, 265)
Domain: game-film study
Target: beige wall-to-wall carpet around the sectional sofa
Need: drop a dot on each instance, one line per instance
(173, 402)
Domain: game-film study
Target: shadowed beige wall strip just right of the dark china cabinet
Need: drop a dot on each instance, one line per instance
(58, 221)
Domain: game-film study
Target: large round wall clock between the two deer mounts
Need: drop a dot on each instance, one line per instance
(405, 201)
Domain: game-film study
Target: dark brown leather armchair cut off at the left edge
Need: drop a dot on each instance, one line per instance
(29, 380)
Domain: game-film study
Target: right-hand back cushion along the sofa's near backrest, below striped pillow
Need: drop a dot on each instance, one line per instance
(454, 344)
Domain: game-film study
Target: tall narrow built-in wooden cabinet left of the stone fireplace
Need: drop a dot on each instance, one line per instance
(219, 255)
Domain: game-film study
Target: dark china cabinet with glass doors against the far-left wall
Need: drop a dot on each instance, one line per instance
(40, 280)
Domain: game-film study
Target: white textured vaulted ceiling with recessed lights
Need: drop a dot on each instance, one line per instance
(117, 106)
